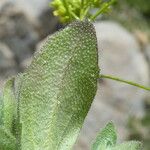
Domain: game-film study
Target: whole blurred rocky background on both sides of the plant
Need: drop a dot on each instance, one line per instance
(124, 50)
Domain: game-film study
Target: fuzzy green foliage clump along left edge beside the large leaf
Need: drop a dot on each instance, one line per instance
(7, 114)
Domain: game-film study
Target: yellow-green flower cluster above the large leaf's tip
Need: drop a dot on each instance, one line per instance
(69, 10)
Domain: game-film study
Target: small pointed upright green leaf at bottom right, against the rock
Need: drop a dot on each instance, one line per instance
(106, 138)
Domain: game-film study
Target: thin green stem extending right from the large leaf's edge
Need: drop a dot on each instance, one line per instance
(125, 81)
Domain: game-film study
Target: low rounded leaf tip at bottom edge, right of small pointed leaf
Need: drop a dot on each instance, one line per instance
(131, 145)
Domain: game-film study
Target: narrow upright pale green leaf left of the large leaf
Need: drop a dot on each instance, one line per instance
(9, 104)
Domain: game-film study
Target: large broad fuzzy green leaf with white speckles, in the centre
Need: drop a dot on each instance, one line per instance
(58, 88)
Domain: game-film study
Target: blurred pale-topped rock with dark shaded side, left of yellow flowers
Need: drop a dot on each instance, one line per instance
(40, 14)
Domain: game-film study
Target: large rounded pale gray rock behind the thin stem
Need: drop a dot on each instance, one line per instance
(119, 55)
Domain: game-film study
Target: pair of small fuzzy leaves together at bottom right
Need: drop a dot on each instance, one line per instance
(106, 140)
